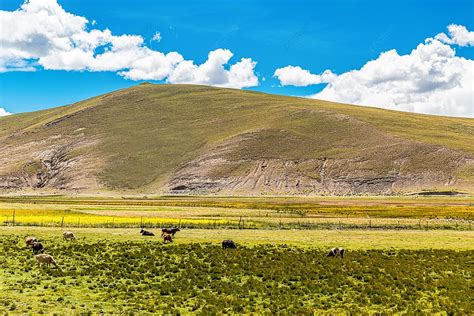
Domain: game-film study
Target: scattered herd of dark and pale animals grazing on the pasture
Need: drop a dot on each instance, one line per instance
(166, 233)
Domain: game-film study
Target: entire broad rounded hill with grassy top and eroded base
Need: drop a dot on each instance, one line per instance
(155, 139)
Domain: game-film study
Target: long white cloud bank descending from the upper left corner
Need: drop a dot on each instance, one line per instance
(42, 34)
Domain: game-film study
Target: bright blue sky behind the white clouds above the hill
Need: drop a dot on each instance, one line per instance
(315, 35)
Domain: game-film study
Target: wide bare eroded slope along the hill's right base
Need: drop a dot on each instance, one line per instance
(399, 166)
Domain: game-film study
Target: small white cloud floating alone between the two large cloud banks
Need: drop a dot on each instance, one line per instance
(296, 76)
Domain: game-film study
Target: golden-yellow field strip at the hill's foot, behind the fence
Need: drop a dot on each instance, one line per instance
(244, 212)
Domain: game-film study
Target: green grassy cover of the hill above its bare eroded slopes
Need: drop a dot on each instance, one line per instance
(143, 134)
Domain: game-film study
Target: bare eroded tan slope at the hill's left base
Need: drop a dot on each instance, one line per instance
(53, 164)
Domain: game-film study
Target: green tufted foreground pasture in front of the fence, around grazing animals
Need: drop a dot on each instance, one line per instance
(117, 272)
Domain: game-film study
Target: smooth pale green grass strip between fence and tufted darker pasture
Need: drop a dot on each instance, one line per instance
(351, 239)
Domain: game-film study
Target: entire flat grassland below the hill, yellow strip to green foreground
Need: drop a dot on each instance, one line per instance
(404, 255)
